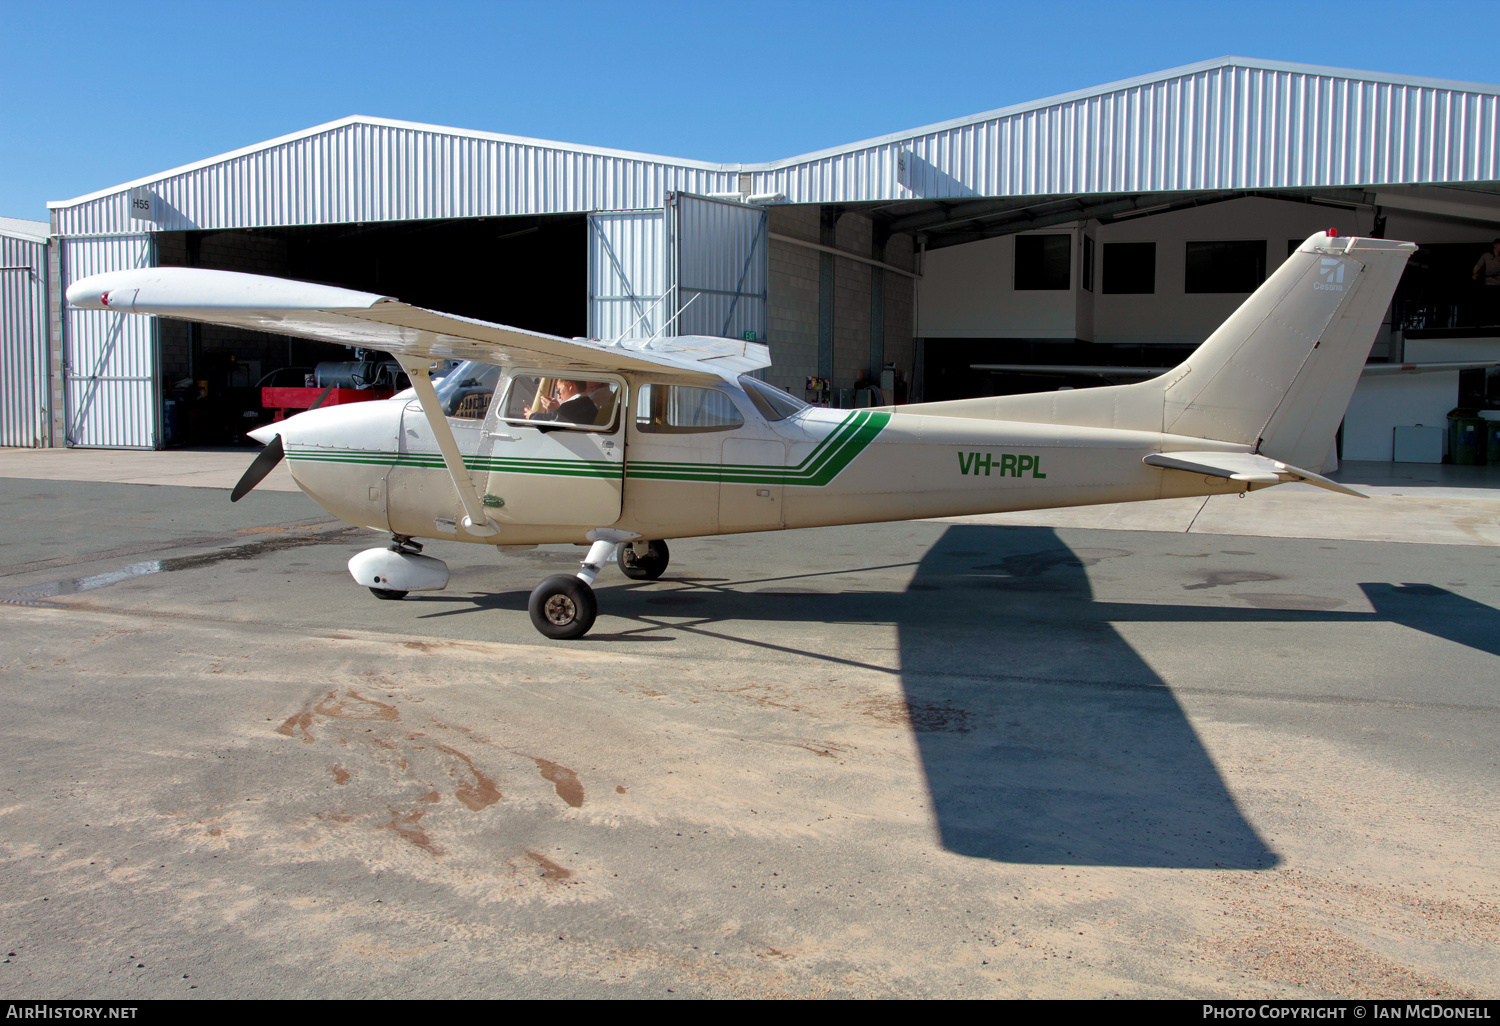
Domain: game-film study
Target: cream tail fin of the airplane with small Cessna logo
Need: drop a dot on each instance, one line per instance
(1277, 376)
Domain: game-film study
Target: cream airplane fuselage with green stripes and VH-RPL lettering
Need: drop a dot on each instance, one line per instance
(376, 466)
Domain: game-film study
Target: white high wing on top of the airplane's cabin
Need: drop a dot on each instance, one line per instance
(373, 322)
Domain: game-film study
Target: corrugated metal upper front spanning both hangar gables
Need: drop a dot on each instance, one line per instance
(1231, 124)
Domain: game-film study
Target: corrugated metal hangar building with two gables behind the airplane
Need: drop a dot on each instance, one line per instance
(1048, 242)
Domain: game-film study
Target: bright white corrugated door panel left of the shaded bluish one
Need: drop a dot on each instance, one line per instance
(626, 274)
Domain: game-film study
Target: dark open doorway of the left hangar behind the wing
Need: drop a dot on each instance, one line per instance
(529, 272)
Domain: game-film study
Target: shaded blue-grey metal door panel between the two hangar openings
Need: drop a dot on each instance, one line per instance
(721, 266)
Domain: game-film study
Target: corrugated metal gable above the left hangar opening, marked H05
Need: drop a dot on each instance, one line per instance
(383, 172)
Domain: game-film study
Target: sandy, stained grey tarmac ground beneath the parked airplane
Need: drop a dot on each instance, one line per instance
(1004, 757)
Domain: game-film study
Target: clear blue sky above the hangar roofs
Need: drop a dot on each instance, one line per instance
(98, 94)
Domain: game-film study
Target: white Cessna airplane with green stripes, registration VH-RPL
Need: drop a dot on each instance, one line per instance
(625, 445)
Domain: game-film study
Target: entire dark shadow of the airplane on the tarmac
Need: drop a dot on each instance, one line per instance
(1043, 734)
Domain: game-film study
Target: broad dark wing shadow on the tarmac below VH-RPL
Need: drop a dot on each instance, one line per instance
(1045, 737)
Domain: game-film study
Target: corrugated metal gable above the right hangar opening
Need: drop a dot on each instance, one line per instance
(1223, 128)
